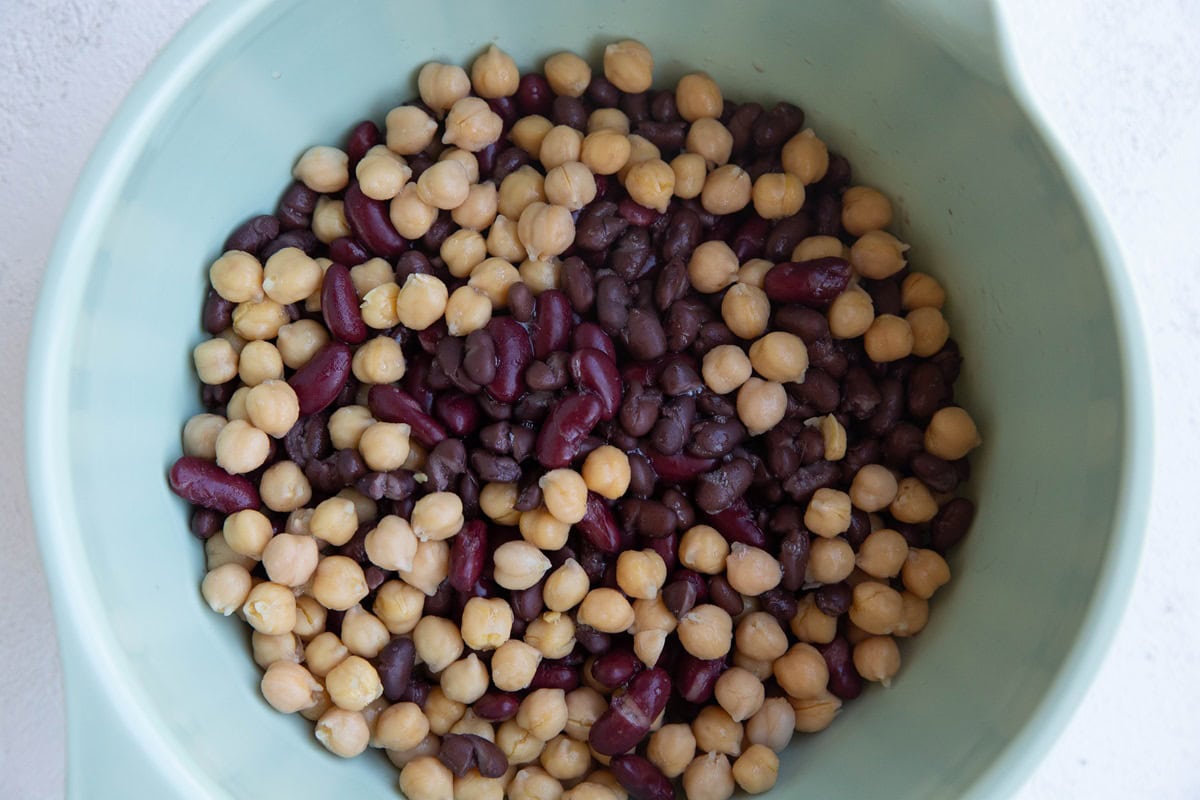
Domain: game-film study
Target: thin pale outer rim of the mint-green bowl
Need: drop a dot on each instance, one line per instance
(80, 623)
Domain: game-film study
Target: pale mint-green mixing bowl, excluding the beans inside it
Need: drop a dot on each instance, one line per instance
(163, 696)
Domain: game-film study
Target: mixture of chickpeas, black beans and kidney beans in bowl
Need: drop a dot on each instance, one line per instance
(568, 438)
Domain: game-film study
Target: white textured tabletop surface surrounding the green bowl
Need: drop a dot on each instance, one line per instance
(1120, 81)
